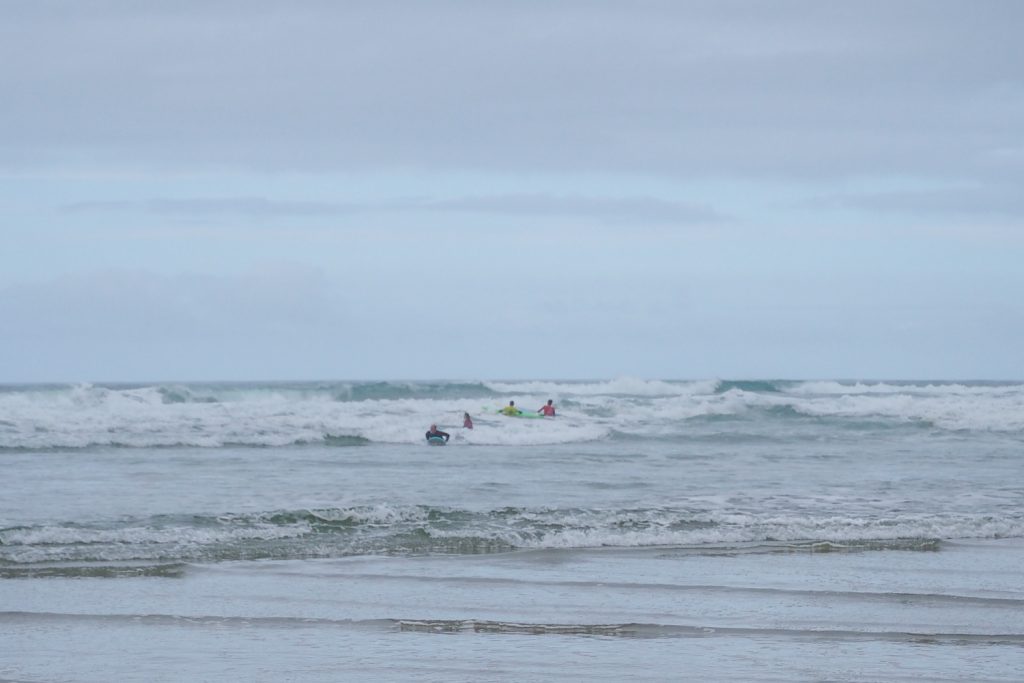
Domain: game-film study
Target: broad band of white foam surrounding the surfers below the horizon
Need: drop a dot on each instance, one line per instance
(87, 415)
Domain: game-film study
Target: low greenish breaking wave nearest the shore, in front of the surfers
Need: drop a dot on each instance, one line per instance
(168, 541)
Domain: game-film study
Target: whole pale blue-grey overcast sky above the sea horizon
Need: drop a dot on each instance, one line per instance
(250, 190)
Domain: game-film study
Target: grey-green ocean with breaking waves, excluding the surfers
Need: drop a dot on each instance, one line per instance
(657, 531)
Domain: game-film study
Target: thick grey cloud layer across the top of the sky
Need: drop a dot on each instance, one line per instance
(741, 88)
